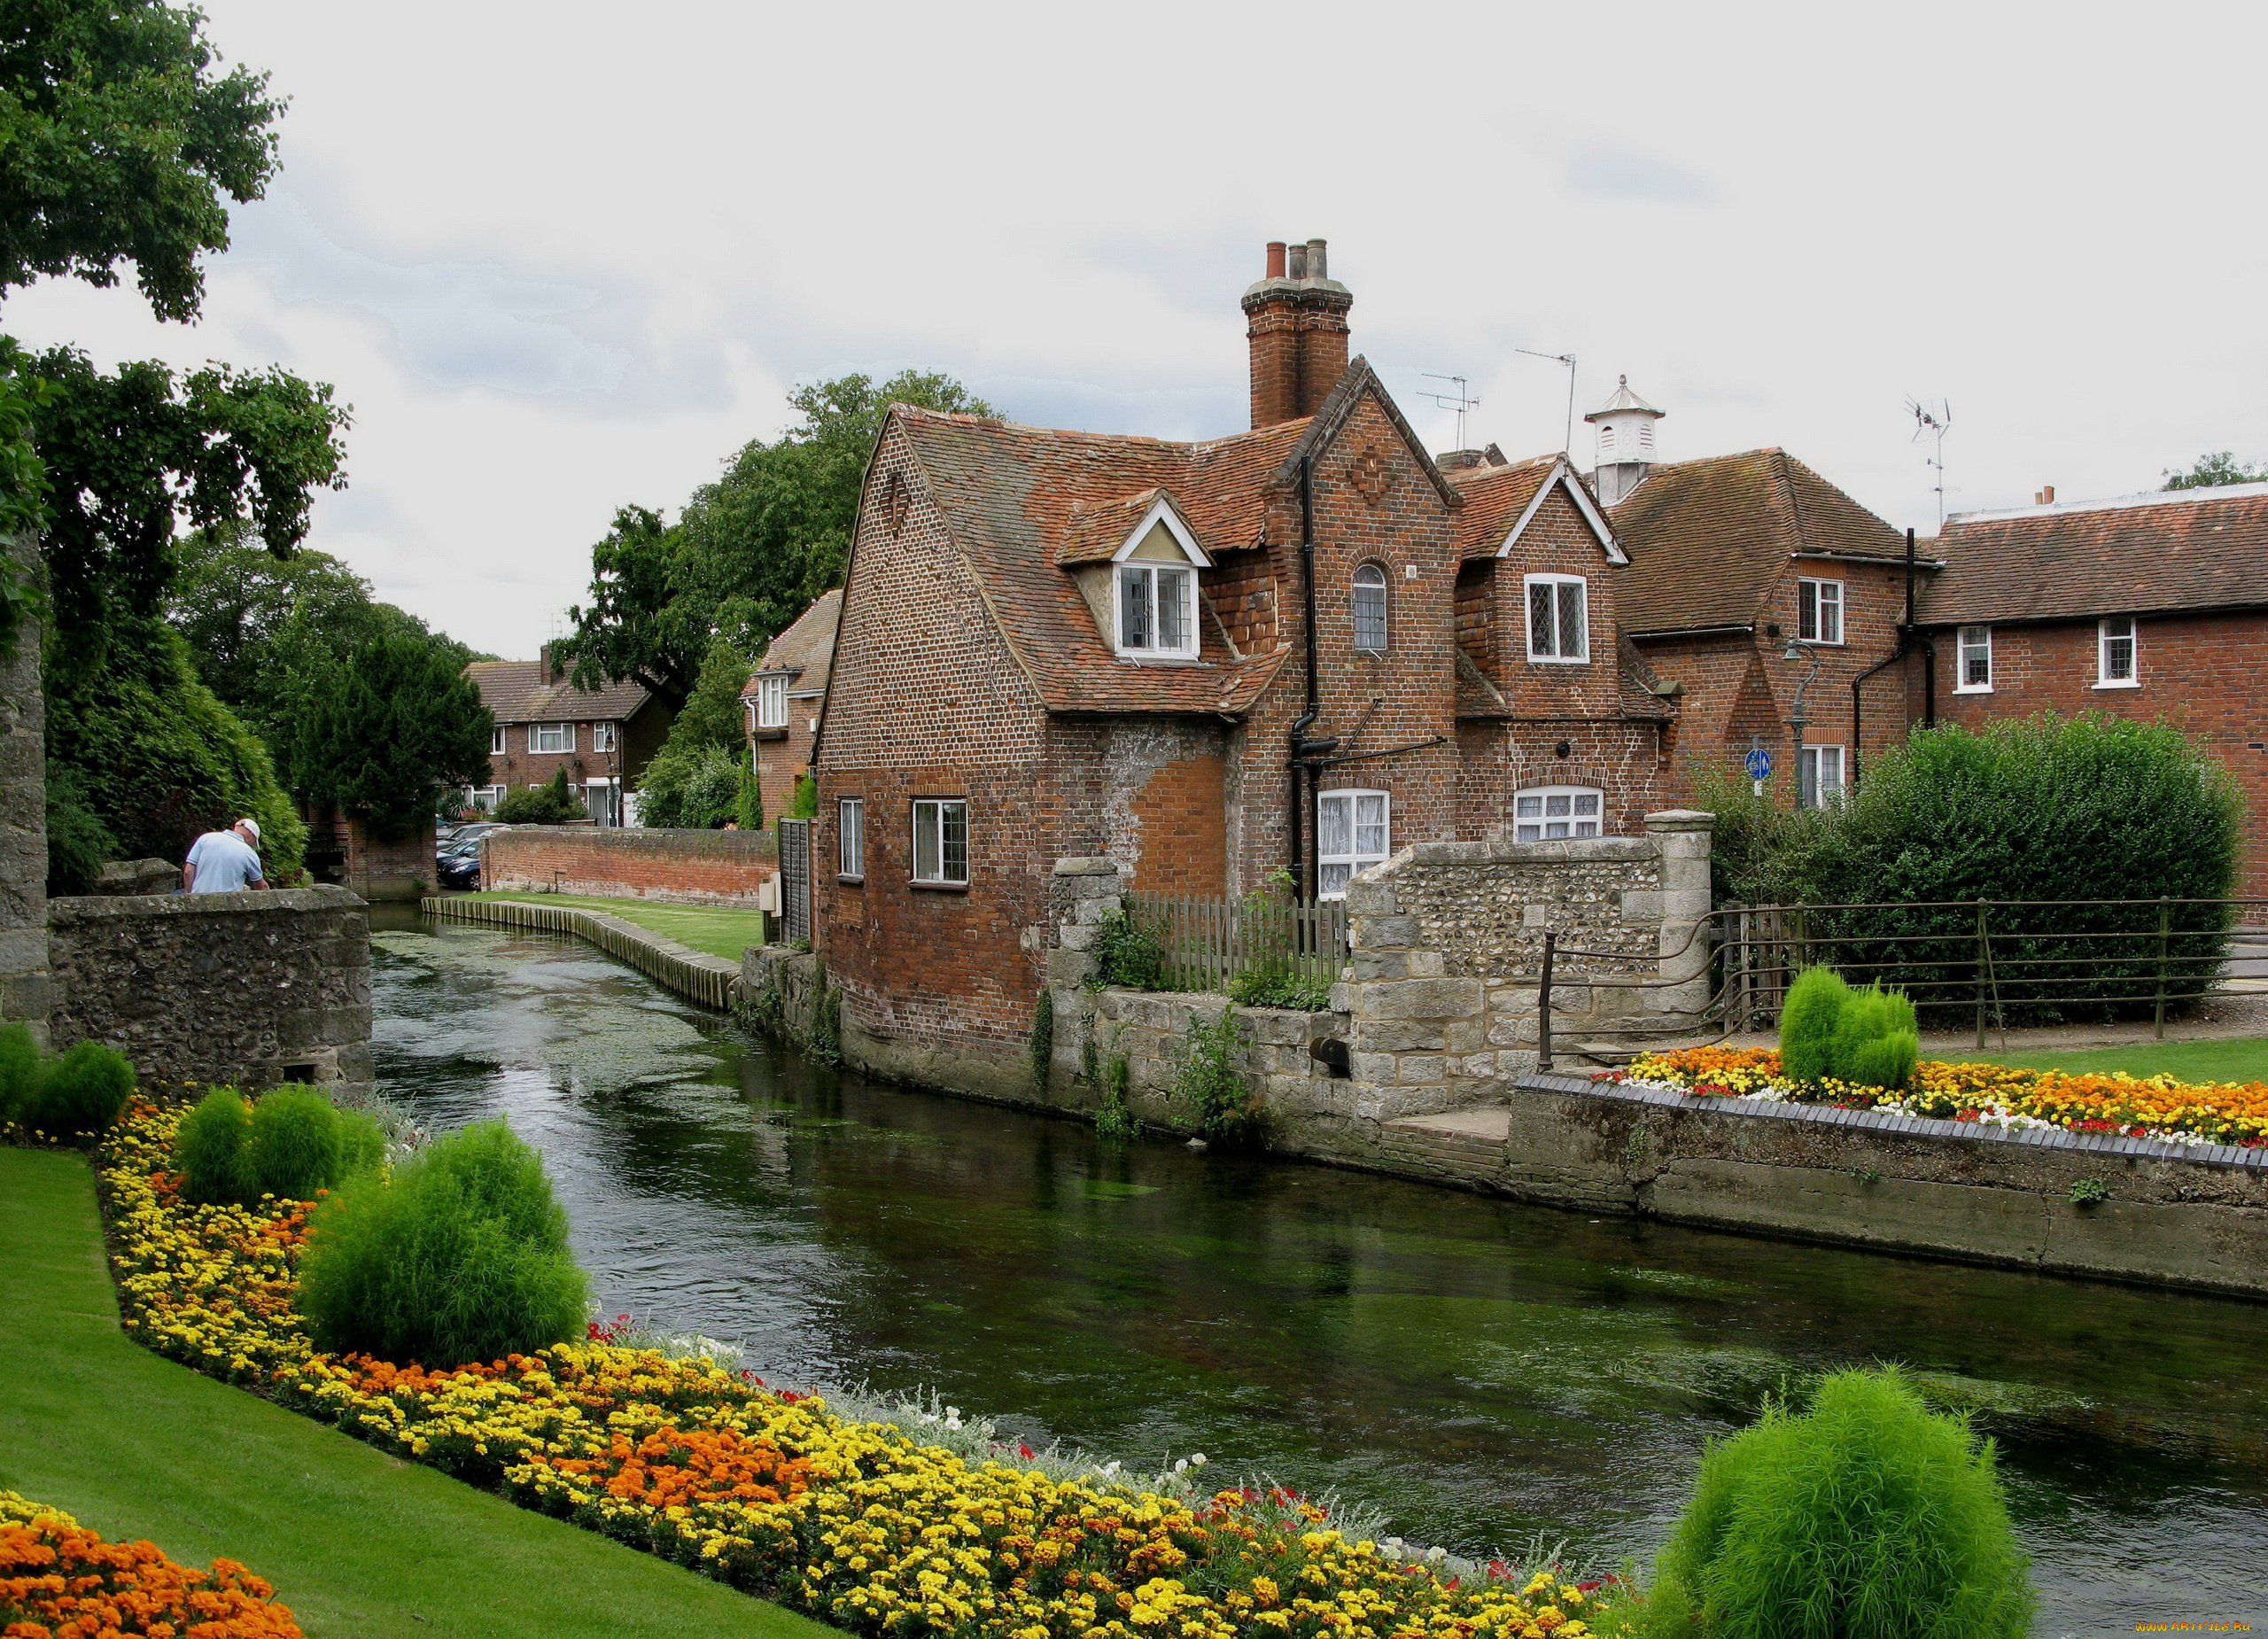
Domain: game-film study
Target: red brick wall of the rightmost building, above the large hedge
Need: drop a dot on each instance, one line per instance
(2199, 672)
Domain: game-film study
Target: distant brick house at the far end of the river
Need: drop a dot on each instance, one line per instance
(602, 738)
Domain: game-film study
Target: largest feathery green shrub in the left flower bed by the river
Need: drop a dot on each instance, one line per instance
(459, 1257)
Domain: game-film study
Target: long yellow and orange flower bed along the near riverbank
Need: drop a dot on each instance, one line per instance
(856, 1522)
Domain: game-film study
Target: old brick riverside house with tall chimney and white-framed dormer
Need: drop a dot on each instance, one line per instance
(1294, 649)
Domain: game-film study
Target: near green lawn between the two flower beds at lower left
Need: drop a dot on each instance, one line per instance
(357, 1543)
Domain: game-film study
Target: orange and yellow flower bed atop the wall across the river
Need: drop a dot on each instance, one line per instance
(2004, 1096)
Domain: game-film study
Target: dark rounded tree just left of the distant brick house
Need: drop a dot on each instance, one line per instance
(387, 729)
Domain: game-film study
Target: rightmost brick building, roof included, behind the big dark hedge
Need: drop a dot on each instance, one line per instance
(2151, 606)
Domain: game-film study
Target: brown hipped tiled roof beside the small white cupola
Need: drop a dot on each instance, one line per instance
(1711, 538)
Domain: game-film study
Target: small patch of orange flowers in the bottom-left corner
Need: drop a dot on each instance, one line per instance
(60, 1581)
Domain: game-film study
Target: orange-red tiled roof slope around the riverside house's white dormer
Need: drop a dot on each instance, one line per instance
(1015, 498)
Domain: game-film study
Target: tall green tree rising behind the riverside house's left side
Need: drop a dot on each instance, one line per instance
(752, 550)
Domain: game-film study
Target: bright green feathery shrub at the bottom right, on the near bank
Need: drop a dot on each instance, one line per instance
(1861, 1518)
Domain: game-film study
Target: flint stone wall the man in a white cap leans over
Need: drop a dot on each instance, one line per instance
(219, 987)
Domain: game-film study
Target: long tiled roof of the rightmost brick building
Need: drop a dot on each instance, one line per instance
(2185, 550)
